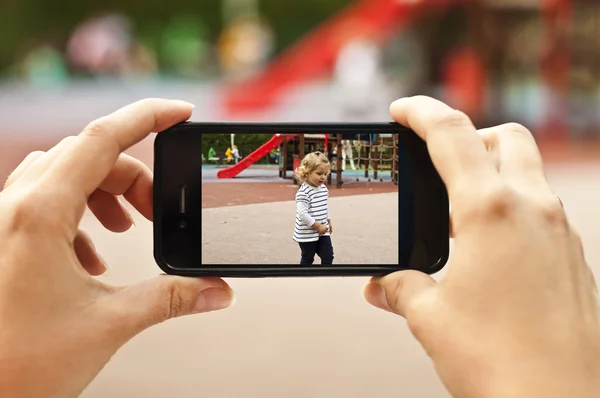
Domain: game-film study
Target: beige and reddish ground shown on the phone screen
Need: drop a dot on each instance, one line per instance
(252, 222)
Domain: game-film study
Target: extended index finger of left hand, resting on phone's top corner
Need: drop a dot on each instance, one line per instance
(80, 168)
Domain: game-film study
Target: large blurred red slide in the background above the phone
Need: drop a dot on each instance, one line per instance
(315, 53)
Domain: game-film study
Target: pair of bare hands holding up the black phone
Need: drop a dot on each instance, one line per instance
(516, 315)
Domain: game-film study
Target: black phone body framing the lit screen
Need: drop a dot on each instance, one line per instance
(423, 207)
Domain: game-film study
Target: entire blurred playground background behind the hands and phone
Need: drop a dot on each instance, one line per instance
(64, 63)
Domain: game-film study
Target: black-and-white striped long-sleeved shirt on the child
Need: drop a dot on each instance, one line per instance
(311, 206)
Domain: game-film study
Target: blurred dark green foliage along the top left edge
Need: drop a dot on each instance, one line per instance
(27, 23)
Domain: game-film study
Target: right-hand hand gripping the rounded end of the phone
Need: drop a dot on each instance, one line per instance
(517, 313)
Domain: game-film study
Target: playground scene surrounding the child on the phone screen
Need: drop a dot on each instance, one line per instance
(248, 209)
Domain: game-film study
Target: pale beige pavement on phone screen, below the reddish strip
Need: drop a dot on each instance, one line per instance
(365, 232)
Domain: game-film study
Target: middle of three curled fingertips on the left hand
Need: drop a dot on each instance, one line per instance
(109, 211)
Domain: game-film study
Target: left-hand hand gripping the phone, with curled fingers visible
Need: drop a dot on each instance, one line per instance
(59, 324)
